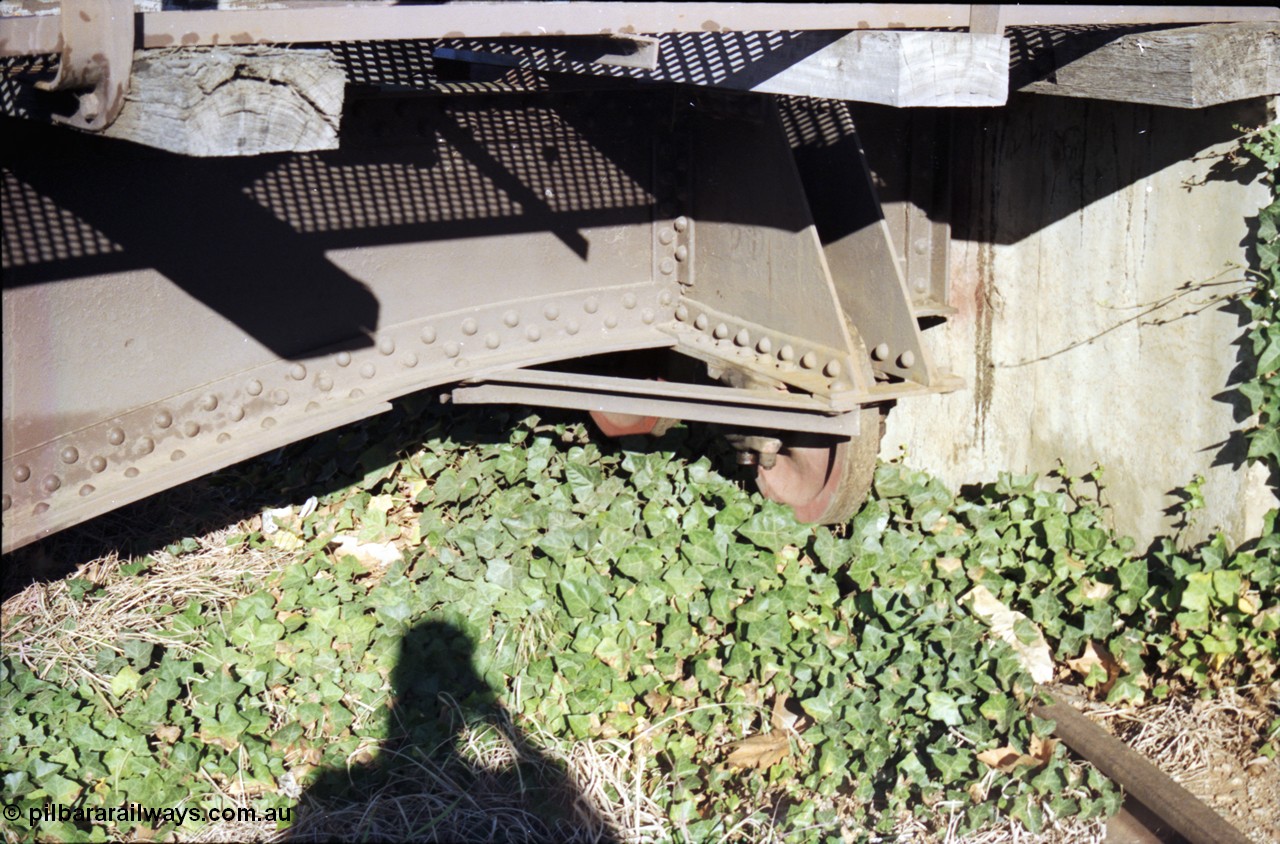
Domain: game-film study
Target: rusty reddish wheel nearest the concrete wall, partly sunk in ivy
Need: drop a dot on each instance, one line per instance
(825, 480)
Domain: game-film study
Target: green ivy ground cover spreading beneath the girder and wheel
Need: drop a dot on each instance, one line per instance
(764, 674)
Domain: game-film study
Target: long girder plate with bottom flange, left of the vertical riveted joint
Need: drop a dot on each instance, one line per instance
(153, 336)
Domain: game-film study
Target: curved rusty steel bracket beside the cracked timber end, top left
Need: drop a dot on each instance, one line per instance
(97, 54)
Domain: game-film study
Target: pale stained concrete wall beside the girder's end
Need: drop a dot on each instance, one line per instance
(1090, 240)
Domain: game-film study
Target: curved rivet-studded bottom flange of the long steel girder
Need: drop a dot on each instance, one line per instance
(121, 459)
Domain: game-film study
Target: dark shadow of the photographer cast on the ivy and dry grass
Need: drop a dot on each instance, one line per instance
(454, 768)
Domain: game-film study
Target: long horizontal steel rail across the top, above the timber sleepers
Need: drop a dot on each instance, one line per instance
(33, 35)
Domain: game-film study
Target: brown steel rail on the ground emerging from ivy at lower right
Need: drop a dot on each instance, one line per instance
(1171, 802)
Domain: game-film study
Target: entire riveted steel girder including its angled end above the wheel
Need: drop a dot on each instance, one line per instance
(167, 317)
